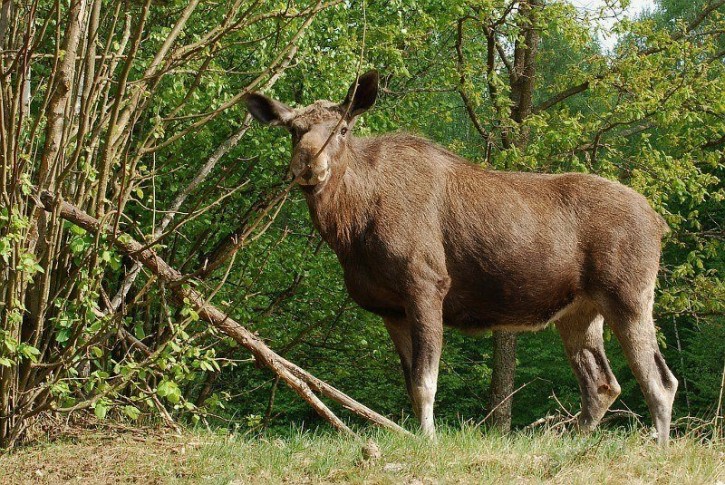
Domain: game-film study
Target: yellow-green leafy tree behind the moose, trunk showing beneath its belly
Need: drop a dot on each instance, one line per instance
(508, 36)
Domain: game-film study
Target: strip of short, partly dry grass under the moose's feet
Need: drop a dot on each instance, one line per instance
(465, 455)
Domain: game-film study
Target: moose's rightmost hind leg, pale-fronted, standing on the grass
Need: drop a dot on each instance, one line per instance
(637, 336)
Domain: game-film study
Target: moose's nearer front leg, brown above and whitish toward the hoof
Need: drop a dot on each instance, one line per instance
(426, 324)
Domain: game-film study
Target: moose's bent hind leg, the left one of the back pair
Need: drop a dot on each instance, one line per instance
(582, 336)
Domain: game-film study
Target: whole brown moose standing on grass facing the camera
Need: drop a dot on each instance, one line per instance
(426, 238)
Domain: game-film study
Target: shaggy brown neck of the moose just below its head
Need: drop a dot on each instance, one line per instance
(341, 208)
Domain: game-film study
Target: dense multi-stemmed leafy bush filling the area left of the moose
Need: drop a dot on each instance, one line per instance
(127, 86)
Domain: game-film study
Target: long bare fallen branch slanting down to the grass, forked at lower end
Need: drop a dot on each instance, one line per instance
(302, 382)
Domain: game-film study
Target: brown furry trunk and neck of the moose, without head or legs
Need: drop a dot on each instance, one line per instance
(514, 248)
